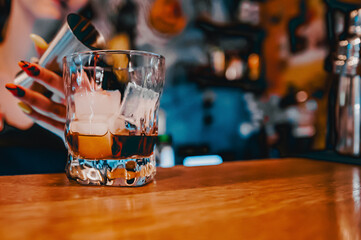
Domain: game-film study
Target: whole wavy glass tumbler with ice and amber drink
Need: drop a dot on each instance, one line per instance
(112, 116)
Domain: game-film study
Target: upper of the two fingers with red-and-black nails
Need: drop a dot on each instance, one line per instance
(49, 79)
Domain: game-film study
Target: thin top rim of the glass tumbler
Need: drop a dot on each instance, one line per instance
(113, 51)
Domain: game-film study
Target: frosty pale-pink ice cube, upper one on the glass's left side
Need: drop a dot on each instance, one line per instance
(96, 104)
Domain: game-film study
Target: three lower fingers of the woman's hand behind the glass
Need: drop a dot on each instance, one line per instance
(45, 112)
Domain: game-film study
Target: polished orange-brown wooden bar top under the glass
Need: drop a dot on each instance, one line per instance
(260, 199)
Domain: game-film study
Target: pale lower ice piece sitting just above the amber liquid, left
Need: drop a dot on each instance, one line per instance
(89, 128)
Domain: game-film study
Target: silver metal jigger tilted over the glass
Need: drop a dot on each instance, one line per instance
(76, 35)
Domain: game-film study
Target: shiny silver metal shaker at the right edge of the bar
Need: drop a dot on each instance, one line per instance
(347, 124)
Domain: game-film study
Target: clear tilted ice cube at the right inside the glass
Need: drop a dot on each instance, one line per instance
(138, 103)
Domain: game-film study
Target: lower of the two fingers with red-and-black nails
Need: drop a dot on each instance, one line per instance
(38, 102)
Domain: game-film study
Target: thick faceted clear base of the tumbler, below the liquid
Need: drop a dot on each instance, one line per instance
(127, 172)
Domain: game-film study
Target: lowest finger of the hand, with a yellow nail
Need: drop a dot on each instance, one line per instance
(46, 122)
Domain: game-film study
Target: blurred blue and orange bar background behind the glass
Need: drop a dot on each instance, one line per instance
(246, 79)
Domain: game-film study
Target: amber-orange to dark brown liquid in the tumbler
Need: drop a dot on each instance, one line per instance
(110, 146)
